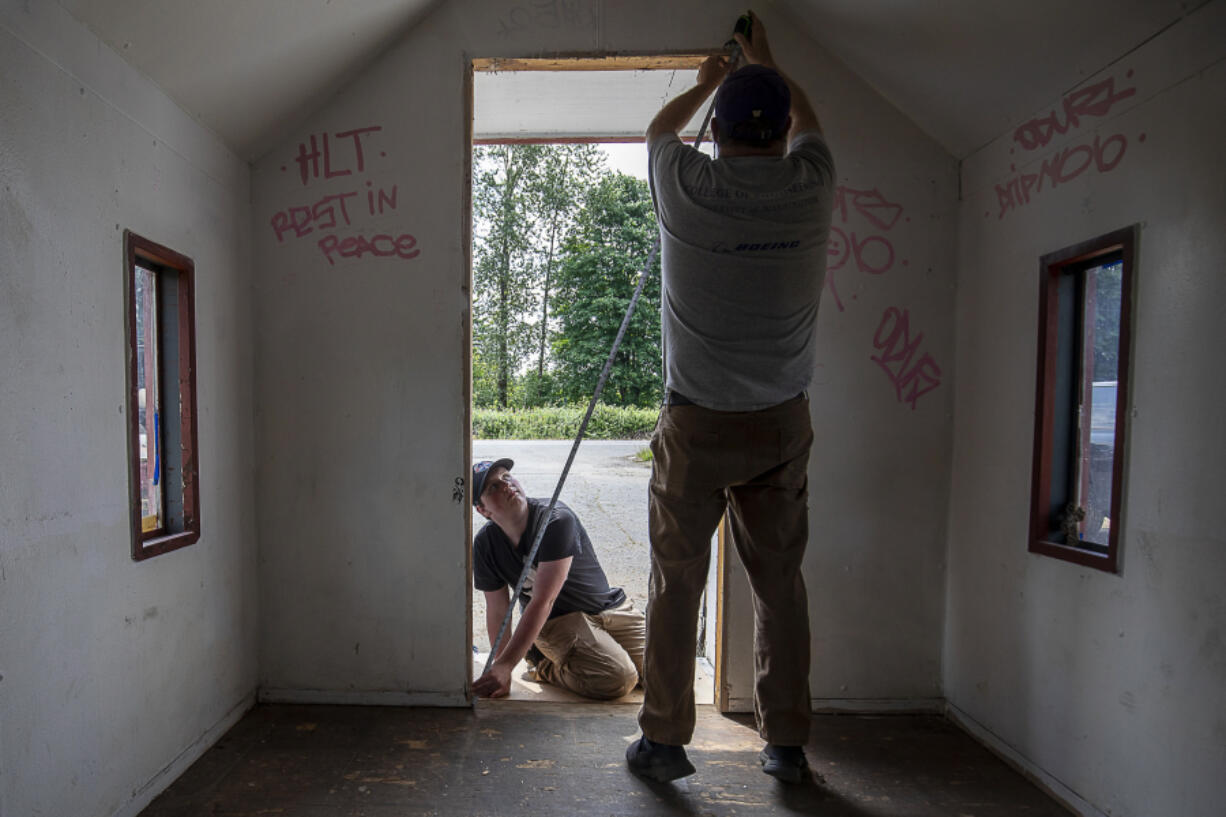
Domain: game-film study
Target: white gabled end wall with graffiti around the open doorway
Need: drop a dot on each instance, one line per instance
(362, 392)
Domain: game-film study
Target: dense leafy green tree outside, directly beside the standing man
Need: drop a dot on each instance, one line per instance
(600, 268)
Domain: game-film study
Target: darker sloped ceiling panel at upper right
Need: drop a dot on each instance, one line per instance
(970, 71)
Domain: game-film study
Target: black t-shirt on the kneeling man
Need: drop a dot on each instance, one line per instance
(497, 564)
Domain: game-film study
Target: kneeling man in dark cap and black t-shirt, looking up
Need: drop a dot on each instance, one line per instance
(588, 636)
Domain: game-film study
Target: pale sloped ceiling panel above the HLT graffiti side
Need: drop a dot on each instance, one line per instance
(249, 71)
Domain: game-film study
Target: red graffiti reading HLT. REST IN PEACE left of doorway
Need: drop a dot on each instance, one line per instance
(329, 156)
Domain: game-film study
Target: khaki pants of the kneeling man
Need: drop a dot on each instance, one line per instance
(594, 656)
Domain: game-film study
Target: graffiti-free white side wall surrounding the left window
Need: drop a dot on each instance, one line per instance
(115, 675)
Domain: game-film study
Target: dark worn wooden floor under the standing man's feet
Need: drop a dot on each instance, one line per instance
(568, 760)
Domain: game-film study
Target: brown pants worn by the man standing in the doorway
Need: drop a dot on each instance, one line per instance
(755, 464)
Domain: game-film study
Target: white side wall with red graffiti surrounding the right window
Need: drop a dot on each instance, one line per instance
(1111, 688)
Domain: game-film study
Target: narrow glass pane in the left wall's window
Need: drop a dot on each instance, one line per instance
(150, 401)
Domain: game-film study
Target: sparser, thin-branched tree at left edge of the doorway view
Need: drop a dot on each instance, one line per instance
(504, 263)
